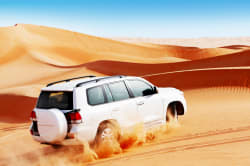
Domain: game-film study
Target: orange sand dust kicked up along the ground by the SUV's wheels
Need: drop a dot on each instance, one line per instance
(81, 152)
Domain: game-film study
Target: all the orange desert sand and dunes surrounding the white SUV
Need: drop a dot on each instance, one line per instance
(215, 81)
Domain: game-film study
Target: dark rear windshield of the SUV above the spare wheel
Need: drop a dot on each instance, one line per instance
(60, 100)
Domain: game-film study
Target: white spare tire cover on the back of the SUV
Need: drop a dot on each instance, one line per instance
(52, 125)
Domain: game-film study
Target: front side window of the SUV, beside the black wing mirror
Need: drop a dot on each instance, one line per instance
(140, 88)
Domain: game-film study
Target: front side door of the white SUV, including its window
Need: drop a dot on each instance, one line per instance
(149, 103)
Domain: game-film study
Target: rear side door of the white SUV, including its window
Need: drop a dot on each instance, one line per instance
(123, 107)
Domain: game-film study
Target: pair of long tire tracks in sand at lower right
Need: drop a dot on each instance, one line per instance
(187, 146)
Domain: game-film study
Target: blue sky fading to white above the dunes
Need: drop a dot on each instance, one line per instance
(134, 18)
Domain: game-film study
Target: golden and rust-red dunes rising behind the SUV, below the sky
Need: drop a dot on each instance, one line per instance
(32, 56)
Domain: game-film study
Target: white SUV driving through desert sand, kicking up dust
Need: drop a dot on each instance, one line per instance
(91, 107)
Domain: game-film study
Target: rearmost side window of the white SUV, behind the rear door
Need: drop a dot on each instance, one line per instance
(95, 96)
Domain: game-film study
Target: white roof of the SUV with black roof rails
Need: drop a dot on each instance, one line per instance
(70, 85)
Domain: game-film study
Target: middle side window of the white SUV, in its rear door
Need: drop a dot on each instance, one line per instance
(119, 91)
